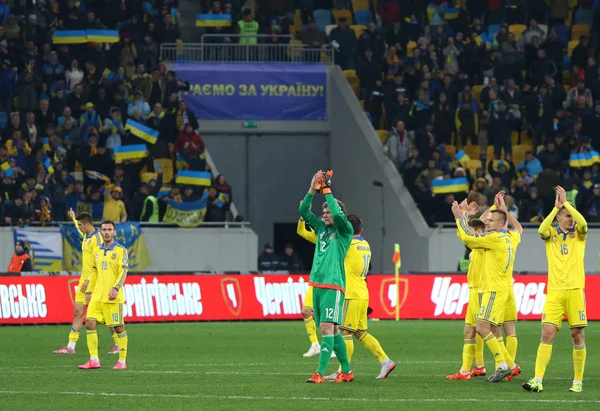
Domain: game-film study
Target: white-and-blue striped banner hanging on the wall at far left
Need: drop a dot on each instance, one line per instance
(44, 248)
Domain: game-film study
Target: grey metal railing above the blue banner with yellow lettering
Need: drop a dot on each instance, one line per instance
(221, 48)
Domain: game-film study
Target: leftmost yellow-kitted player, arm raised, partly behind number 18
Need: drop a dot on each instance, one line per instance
(90, 241)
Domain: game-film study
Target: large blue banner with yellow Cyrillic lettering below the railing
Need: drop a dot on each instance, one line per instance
(255, 91)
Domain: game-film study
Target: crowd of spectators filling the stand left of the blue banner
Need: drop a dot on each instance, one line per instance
(64, 110)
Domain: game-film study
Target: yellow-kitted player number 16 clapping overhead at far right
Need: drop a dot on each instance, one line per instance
(565, 251)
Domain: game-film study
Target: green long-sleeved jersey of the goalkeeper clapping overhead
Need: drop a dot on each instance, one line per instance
(332, 244)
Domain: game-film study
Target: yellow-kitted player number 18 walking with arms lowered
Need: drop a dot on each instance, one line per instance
(106, 289)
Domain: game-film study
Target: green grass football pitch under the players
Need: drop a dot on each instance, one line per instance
(259, 366)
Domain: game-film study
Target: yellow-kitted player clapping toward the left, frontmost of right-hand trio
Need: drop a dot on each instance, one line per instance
(499, 253)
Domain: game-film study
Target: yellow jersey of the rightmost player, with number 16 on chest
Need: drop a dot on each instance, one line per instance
(565, 252)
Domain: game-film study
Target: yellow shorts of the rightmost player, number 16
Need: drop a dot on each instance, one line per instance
(569, 302)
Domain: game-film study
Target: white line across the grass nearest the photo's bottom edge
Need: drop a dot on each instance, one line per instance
(272, 398)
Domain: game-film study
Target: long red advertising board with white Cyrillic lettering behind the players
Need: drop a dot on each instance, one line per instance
(183, 297)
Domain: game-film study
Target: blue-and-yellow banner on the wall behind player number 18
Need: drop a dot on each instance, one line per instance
(129, 235)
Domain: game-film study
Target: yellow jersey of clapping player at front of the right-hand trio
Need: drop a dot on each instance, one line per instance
(498, 254)
